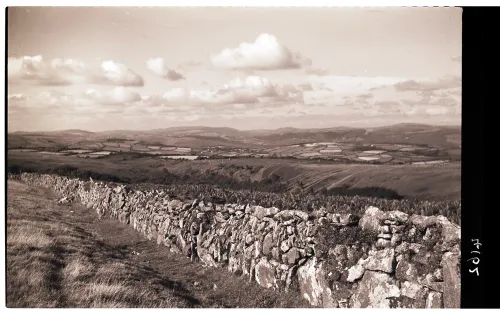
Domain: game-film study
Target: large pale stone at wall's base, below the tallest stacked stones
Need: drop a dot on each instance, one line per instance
(374, 291)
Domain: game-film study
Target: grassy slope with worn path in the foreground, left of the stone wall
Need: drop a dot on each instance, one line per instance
(62, 256)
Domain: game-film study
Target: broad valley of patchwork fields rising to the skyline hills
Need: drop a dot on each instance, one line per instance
(398, 144)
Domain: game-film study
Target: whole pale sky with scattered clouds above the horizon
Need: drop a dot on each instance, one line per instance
(141, 68)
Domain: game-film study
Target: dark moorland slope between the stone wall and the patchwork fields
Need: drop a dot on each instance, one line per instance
(413, 181)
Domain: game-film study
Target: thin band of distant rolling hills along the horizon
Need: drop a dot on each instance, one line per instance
(404, 133)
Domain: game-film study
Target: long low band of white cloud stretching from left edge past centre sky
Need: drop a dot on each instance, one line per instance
(240, 95)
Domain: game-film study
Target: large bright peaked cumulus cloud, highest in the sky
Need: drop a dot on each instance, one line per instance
(266, 53)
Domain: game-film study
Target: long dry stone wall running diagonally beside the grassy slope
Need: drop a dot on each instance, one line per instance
(382, 259)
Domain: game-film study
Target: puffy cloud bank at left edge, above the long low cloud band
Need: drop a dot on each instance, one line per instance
(34, 69)
